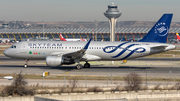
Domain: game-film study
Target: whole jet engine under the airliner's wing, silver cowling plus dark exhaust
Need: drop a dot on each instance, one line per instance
(55, 61)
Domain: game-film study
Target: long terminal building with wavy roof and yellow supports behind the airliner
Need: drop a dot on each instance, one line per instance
(102, 34)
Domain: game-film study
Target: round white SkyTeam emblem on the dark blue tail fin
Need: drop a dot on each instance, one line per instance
(161, 29)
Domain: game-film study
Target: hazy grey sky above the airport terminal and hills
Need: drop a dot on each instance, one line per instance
(86, 10)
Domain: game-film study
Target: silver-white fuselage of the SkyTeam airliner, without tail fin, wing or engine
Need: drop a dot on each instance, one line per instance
(103, 50)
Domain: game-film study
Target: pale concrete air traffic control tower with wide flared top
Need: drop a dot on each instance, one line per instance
(112, 14)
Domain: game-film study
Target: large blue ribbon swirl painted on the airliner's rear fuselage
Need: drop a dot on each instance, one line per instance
(123, 50)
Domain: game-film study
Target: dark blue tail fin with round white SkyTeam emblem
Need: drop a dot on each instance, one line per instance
(159, 31)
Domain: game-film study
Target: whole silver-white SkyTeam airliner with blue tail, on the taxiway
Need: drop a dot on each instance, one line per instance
(57, 53)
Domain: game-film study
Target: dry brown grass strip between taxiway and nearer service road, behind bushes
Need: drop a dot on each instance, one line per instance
(89, 77)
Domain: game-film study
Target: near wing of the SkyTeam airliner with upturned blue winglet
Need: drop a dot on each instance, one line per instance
(76, 54)
